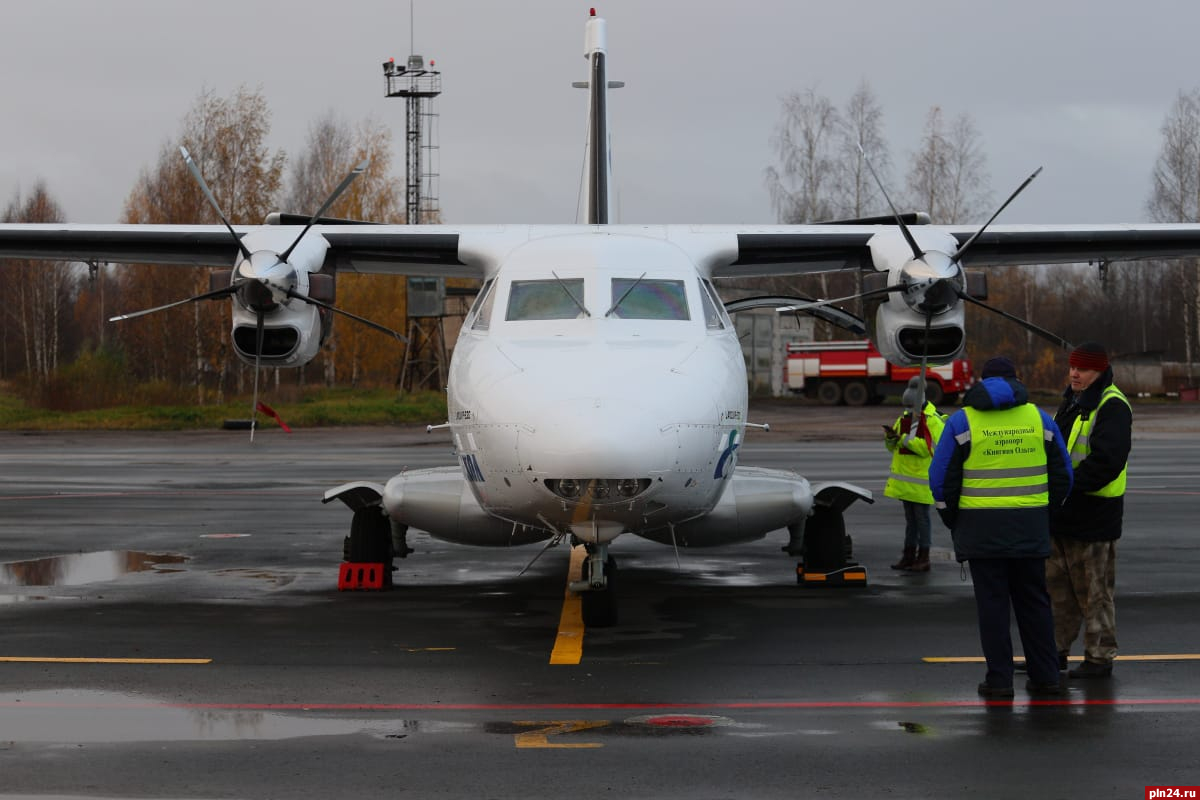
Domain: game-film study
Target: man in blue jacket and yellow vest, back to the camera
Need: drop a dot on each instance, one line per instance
(999, 470)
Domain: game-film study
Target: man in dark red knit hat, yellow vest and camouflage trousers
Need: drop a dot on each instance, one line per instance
(1097, 420)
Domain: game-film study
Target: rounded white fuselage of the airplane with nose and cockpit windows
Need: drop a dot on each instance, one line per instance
(597, 388)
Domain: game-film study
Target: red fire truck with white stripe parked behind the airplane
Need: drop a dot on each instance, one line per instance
(855, 374)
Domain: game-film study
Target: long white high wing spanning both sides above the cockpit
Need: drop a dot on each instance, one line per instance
(465, 251)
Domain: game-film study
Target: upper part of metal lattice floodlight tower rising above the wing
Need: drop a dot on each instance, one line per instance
(419, 87)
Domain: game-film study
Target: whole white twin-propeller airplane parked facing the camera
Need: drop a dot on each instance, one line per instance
(598, 388)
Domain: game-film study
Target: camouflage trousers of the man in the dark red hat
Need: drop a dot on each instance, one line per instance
(1081, 579)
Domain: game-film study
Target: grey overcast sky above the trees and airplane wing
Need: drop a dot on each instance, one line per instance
(93, 89)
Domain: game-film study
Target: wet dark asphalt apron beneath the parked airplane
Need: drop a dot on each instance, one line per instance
(171, 628)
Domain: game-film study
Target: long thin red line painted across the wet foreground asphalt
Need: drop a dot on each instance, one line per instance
(607, 707)
